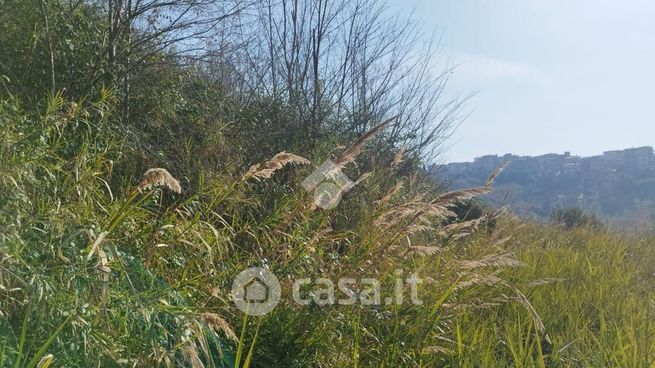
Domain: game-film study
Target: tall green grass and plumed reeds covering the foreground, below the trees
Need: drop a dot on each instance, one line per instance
(99, 270)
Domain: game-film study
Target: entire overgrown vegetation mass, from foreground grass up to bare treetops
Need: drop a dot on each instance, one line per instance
(101, 265)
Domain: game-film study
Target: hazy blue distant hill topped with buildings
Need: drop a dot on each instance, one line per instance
(618, 185)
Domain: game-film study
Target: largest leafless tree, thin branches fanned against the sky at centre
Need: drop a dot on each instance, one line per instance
(344, 65)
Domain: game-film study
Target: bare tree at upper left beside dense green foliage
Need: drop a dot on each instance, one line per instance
(138, 30)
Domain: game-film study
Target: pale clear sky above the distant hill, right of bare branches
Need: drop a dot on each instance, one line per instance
(550, 75)
